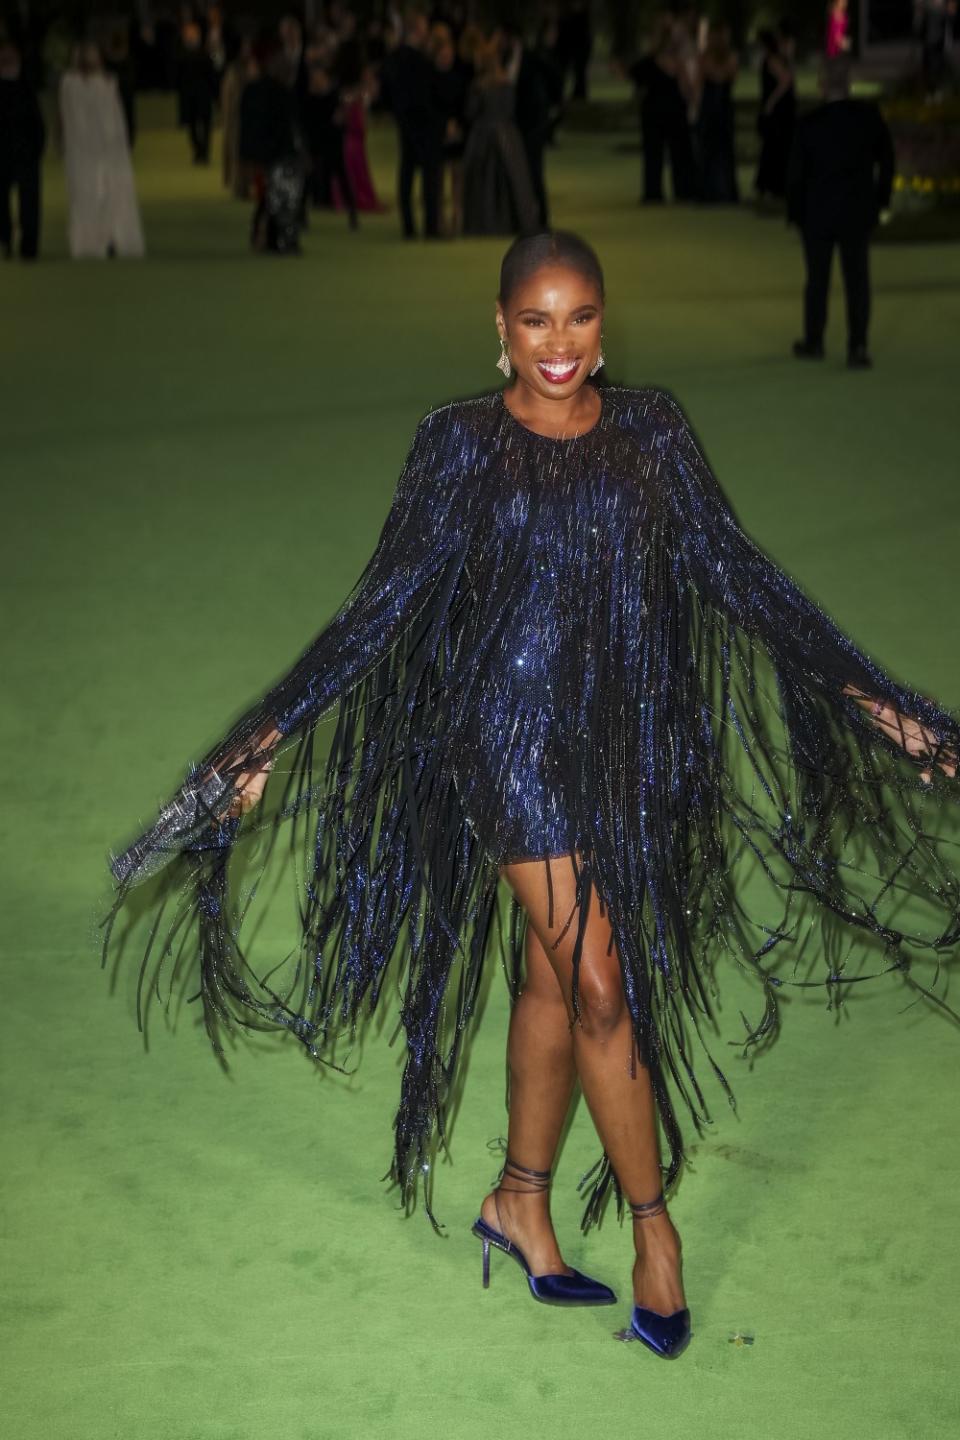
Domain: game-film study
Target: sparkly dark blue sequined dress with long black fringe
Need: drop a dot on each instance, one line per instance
(562, 647)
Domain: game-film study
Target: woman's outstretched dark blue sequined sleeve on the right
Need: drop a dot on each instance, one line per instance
(732, 572)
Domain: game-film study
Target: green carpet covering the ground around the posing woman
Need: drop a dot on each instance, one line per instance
(198, 451)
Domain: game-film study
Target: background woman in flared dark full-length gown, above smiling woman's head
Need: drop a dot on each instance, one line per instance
(499, 197)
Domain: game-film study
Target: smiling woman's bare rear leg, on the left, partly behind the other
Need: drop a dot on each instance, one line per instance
(542, 1081)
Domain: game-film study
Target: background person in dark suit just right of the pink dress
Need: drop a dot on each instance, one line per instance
(407, 83)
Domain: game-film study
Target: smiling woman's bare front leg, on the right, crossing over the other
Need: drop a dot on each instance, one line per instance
(615, 1085)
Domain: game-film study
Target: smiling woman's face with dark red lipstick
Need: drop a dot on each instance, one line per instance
(552, 328)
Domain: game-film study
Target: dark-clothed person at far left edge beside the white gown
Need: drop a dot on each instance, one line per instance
(22, 140)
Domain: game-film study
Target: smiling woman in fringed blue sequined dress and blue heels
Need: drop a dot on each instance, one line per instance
(566, 667)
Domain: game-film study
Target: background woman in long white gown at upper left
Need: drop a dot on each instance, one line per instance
(104, 217)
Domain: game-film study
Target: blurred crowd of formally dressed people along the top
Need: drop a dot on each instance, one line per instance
(476, 110)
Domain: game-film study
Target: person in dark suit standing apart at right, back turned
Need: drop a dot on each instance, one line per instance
(840, 181)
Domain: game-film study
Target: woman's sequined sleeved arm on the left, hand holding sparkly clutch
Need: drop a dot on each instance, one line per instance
(417, 541)
